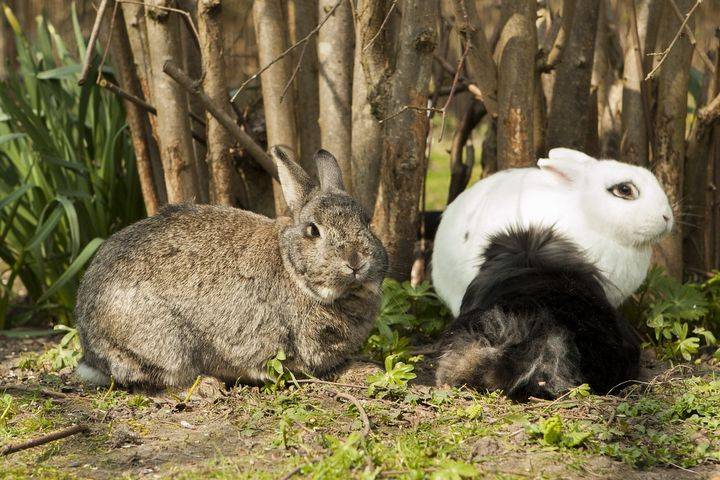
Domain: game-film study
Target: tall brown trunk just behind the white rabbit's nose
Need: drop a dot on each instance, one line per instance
(670, 131)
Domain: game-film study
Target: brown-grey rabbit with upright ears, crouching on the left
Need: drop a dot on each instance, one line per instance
(217, 291)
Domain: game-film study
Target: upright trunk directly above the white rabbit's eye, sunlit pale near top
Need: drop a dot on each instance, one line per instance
(634, 134)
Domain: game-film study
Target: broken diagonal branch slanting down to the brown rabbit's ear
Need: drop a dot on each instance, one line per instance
(245, 141)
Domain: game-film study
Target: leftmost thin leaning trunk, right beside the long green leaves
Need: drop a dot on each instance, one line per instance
(137, 118)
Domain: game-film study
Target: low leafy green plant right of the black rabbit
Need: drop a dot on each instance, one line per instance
(681, 317)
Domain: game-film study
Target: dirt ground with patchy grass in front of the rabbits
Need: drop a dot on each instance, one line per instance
(311, 432)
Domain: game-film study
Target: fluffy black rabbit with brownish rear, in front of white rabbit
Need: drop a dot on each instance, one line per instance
(535, 321)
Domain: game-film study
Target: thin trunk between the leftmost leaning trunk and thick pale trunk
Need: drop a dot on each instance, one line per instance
(134, 16)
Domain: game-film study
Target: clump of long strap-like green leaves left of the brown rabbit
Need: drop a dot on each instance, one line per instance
(67, 173)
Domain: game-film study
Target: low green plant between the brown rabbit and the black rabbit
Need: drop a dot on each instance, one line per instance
(407, 314)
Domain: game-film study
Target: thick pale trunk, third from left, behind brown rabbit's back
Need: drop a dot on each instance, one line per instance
(173, 126)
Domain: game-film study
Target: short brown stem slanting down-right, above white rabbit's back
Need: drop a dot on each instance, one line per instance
(479, 62)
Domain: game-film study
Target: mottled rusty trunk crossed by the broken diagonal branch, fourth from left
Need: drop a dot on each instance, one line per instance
(219, 140)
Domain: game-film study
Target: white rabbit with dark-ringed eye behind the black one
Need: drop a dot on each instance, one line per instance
(612, 210)
